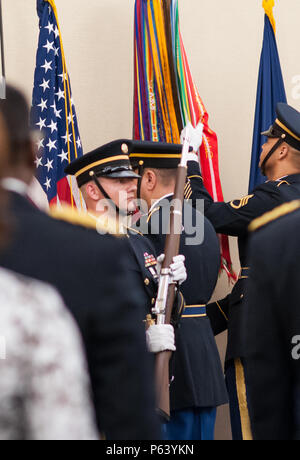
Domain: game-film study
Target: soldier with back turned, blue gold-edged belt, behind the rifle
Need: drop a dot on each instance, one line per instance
(198, 386)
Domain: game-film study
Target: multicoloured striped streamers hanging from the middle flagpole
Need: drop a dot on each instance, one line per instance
(165, 95)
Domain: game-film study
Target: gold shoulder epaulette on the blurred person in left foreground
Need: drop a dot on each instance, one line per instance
(75, 217)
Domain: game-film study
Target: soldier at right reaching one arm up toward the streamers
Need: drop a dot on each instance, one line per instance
(280, 163)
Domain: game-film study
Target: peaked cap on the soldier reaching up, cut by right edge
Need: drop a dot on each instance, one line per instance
(286, 126)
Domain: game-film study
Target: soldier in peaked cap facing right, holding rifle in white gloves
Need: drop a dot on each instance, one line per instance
(108, 185)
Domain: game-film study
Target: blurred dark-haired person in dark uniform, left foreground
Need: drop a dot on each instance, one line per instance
(88, 269)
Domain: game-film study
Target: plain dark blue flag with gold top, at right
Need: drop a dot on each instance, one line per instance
(270, 91)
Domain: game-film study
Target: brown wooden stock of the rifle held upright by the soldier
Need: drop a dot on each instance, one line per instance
(171, 250)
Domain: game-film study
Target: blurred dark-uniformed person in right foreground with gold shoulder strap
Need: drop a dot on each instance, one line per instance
(271, 324)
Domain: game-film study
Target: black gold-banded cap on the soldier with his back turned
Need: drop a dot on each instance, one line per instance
(157, 155)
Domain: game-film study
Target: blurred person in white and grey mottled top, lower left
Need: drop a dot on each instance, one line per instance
(44, 388)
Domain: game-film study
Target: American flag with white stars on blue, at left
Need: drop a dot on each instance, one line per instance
(53, 112)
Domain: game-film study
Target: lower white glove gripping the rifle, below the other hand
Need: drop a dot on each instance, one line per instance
(160, 338)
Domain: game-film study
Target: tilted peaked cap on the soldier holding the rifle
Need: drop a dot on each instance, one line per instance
(111, 161)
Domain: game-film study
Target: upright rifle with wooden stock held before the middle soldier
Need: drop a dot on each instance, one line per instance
(166, 291)
